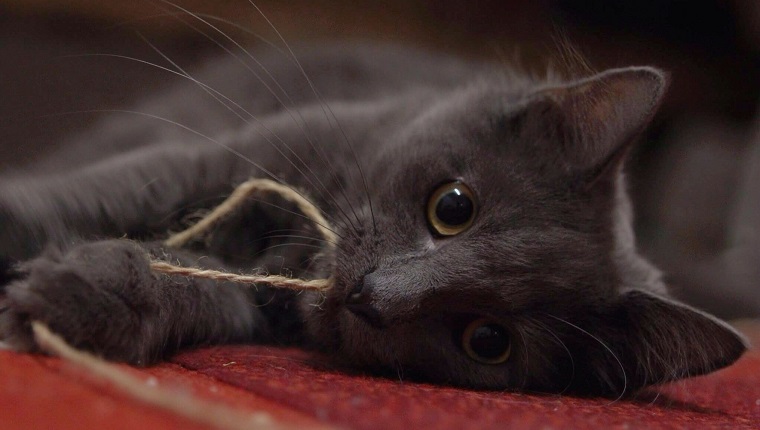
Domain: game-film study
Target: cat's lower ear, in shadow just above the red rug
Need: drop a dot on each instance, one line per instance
(656, 339)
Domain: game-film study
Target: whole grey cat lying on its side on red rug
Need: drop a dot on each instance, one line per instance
(484, 229)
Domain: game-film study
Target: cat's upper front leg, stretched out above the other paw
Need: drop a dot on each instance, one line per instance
(128, 194)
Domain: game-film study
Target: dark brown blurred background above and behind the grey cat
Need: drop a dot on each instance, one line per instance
(695, 177)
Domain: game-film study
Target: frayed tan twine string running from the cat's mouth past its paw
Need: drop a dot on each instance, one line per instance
(190, 407)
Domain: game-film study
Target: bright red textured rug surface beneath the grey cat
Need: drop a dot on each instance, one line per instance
(41, 392)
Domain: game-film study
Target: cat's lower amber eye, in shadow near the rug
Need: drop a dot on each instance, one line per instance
(486, 341)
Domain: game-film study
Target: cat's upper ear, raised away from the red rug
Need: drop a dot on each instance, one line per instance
(603, 114)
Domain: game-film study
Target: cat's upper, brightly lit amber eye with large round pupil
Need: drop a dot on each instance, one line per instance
(451, 209)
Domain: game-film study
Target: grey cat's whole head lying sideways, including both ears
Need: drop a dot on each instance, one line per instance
(500, 253)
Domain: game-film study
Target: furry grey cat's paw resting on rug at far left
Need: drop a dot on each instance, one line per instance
(97, 296)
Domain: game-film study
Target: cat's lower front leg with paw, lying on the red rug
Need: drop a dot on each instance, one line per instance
(103, 297)
